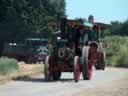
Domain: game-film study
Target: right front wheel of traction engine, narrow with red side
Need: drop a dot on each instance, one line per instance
(77, 70)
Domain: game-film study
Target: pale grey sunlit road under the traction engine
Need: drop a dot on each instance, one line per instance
(36, 86)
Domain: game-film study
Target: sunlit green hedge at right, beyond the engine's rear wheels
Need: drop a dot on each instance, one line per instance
(116, 48)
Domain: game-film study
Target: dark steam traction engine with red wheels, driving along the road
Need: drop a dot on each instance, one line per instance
(63, 57)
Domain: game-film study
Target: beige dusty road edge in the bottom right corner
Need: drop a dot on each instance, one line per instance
(113, 88)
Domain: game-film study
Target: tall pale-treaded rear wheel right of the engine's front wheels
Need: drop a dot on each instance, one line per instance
(86, 66)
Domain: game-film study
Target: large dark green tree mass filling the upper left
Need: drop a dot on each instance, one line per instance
(20, 19)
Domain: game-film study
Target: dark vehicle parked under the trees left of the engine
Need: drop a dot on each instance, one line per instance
(33, 50)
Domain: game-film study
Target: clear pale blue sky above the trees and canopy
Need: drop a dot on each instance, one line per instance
(103, 10)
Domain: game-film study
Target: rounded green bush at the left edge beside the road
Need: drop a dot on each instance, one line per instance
(8, 66)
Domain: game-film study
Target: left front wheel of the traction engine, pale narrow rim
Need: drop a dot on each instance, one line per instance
(47, 71)
